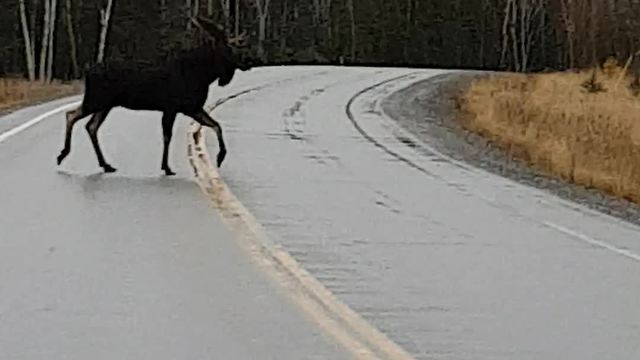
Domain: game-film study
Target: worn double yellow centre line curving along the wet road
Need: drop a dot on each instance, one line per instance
(347, 327)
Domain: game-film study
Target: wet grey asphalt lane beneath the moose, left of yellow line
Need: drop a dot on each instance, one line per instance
(131, 265)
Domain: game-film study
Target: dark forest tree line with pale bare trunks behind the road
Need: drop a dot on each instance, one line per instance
(46, 39)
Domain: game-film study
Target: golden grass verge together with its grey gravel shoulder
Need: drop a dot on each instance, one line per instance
(543, 131)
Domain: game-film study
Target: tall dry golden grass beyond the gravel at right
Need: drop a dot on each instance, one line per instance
(549, 120)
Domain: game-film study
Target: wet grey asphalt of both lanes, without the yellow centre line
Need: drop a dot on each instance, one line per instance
(448, 261)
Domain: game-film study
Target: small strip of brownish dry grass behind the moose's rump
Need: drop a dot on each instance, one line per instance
(16, 92)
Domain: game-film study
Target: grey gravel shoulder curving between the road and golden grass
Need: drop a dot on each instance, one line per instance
(429, 110)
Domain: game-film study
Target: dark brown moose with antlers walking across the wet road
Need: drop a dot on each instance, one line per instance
(179, 84)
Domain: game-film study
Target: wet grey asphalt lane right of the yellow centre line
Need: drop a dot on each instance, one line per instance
(449, 261)
